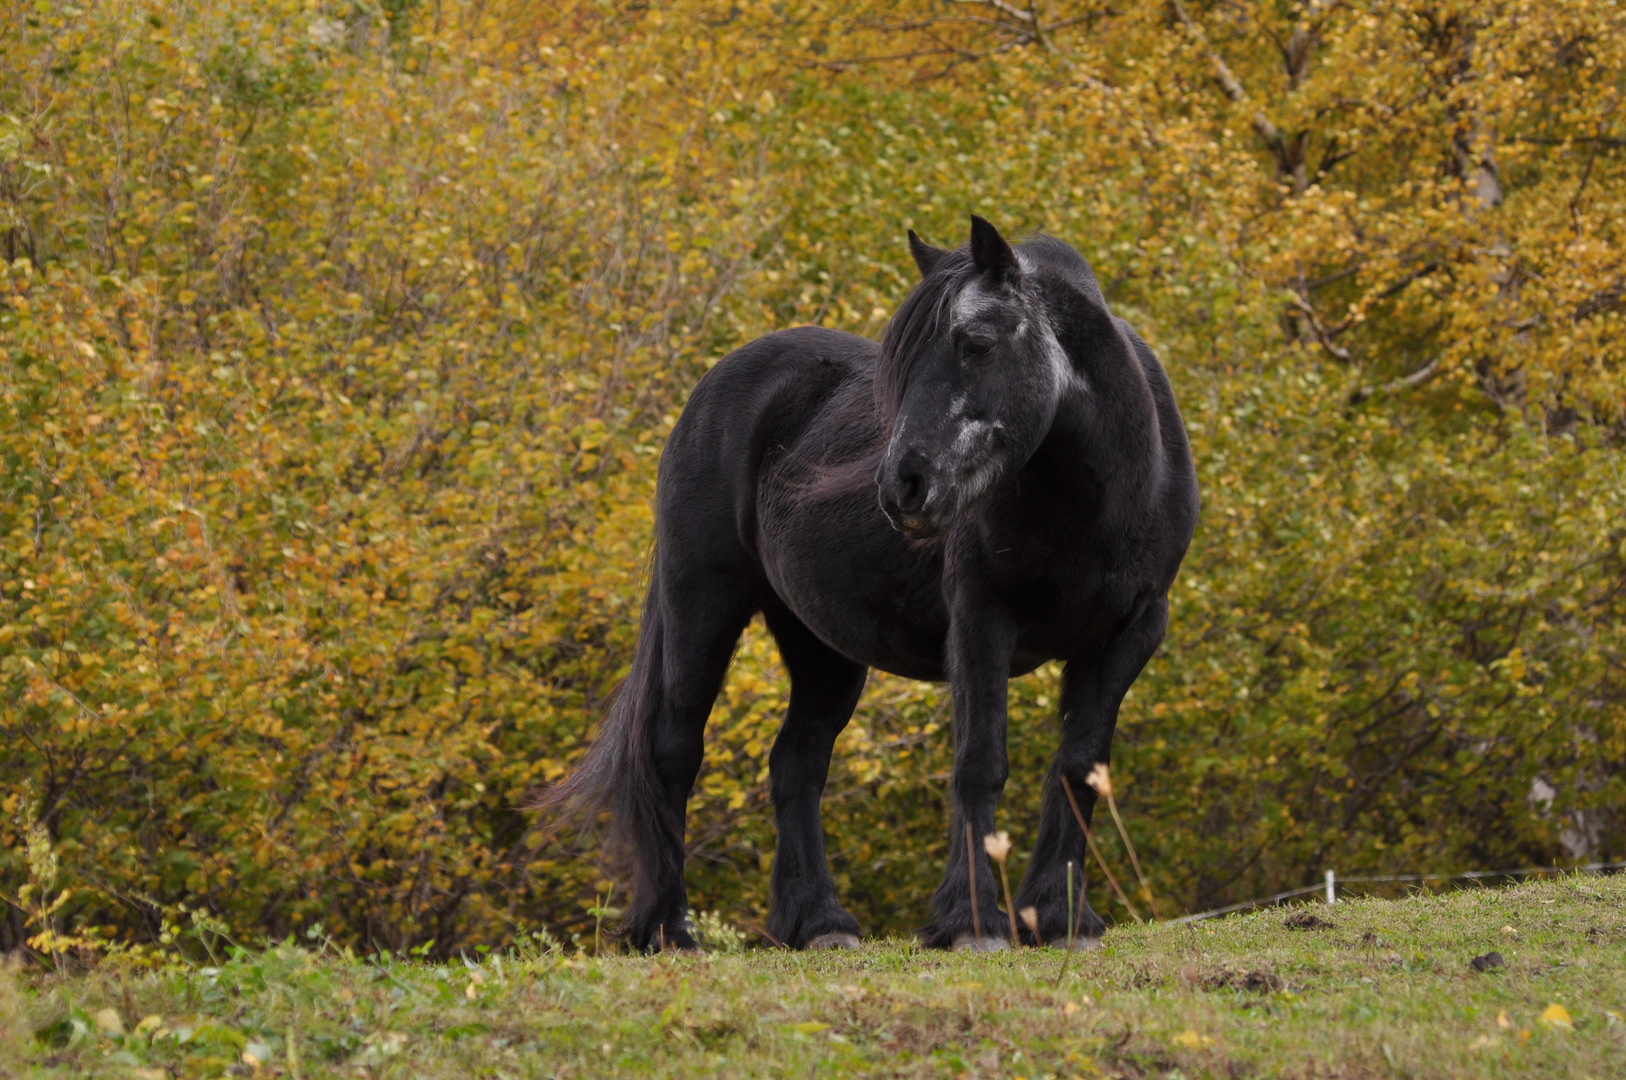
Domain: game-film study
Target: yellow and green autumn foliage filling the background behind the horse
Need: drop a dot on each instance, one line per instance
(339, 342)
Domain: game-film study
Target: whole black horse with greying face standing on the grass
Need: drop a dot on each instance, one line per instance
(1004, 481)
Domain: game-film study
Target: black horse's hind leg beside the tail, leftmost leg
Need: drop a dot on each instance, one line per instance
(702, 617)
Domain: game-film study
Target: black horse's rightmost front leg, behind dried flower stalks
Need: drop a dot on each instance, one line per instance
(1092, 692)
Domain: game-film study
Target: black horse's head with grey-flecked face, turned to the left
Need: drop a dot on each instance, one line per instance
(972, 375)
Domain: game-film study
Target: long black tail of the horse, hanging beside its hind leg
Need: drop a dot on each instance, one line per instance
(619, 775)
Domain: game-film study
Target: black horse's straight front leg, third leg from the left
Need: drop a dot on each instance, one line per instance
(980, 658)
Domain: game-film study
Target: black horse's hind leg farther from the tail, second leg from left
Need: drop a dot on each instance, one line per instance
(825, 689)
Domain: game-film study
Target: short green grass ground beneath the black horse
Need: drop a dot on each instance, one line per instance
(1386, 990)
